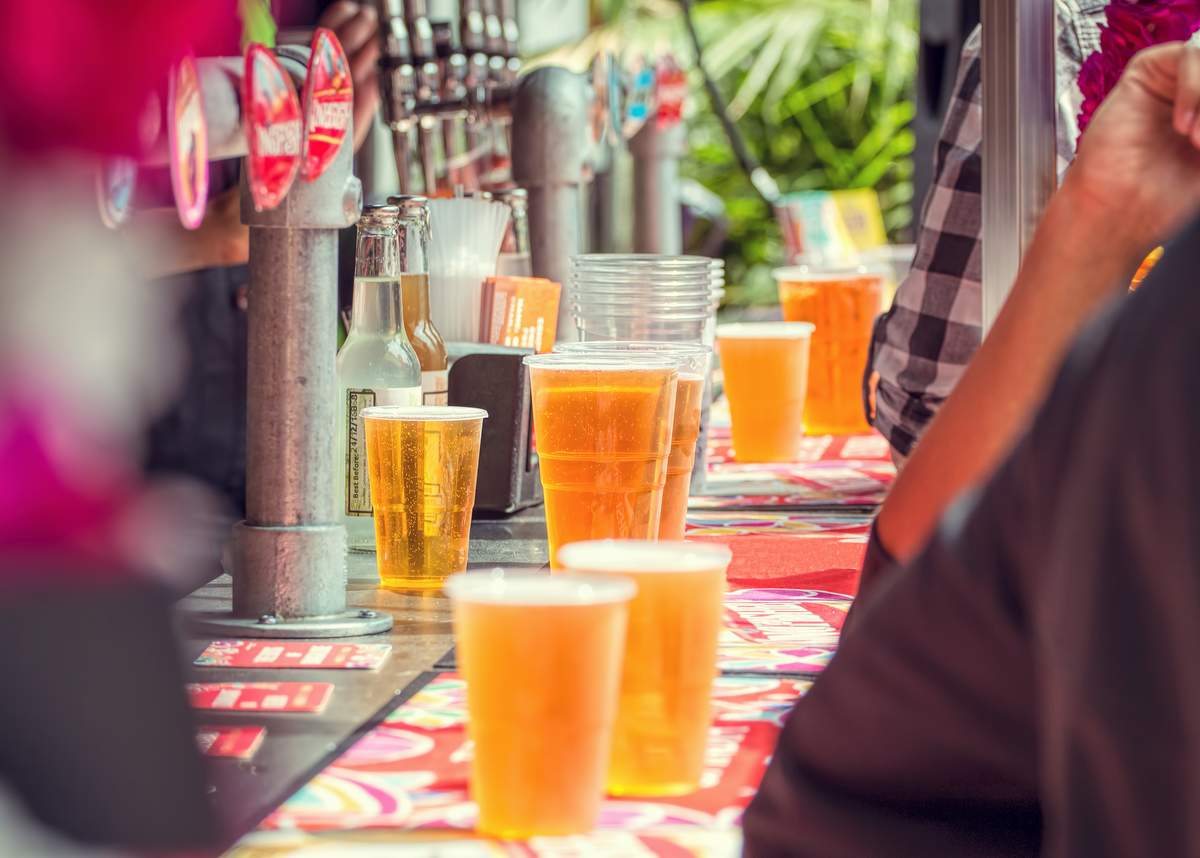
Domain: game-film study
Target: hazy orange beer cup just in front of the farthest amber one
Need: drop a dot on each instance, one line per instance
(766, 368)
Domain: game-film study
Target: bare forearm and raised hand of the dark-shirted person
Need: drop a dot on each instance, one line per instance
(1136, 181)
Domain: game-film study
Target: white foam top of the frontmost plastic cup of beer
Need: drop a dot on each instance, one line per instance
(536, 590)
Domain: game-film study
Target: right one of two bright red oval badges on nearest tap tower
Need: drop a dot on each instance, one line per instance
(328, 104)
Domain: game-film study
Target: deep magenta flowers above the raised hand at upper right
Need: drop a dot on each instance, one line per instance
(1132, 26)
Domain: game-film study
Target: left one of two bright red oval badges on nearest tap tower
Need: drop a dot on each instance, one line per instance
(273, 124)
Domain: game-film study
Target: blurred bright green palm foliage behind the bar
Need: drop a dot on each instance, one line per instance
(821, 91)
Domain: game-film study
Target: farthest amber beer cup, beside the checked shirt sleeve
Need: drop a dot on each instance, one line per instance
(843, 303)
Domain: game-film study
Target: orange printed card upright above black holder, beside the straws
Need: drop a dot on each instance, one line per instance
(520, 313)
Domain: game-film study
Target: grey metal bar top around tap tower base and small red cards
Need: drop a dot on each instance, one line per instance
(299, 746)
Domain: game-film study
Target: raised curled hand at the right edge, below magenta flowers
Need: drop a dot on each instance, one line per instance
(1138, 170)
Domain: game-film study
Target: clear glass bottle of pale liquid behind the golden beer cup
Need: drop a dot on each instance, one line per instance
(376, 365)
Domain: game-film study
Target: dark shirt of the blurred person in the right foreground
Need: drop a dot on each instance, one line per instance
(1027, 685)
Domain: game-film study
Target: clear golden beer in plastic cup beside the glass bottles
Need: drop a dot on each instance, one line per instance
(423, 461)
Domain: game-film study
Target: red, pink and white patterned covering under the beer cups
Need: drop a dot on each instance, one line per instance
(799, 533)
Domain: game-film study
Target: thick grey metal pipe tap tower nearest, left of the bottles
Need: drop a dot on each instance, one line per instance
(290, 554)
